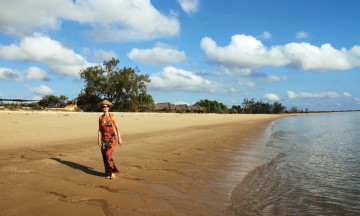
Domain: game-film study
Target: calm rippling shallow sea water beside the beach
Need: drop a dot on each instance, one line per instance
(310, 166)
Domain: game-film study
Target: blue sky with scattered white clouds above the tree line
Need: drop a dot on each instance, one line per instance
(302, 53)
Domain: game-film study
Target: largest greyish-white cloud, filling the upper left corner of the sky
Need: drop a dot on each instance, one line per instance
(111, 20)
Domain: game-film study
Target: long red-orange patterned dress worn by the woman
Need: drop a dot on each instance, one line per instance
(108, 142)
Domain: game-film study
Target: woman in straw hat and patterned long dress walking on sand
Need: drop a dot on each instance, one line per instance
(108, 136)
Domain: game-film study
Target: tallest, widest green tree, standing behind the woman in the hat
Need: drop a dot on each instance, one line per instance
(121, 86)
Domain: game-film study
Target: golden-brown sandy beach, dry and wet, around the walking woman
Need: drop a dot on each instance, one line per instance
(171, 164)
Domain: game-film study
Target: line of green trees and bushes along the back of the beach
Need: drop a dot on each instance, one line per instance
(126, 89)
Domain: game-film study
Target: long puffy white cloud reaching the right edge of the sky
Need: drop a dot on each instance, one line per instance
(248, 52)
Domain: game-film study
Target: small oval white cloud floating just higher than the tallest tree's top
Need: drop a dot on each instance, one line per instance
(161, 54)
